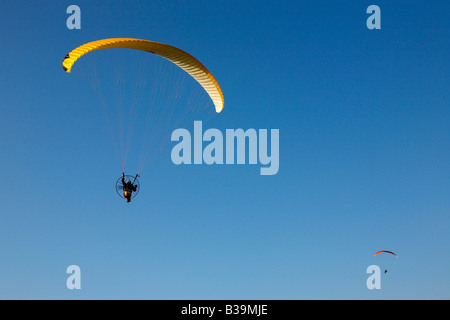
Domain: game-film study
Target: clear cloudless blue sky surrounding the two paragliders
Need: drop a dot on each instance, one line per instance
(364, 124)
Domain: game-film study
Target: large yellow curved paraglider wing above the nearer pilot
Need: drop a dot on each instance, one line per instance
(182, 59)
